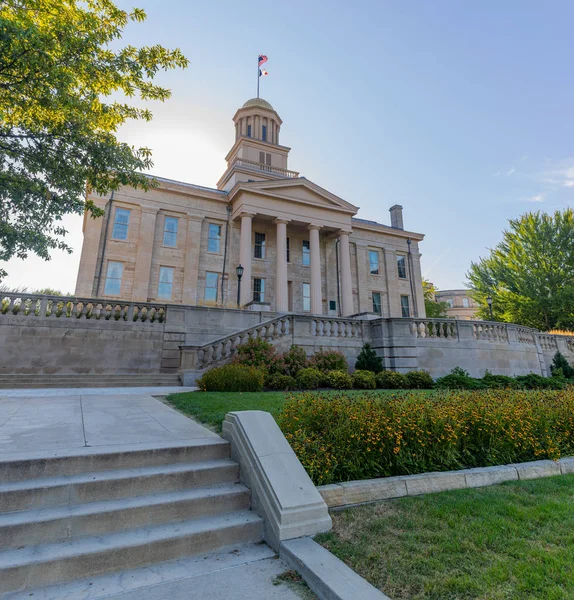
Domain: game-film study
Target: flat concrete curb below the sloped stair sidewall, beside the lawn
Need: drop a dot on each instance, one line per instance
(328, 577)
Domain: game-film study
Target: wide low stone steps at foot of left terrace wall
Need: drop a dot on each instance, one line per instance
(88, 380)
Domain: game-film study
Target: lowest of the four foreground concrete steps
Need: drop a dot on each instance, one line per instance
(47, 564)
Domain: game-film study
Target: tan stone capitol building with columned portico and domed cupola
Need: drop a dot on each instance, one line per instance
(301, 247)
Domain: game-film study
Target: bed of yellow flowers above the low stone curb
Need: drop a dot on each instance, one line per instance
(339, 438)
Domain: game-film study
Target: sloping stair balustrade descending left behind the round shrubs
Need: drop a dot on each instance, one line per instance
(208, 355)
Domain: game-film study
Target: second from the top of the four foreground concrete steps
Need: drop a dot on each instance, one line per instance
(30, 494)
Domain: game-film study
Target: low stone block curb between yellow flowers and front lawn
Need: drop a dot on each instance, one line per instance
(371, 490)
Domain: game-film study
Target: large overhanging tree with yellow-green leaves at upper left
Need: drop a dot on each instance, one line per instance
(58, 64)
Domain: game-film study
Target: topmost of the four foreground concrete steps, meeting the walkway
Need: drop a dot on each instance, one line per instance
(88, 460)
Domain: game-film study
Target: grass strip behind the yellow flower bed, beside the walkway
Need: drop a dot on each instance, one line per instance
(210, 408)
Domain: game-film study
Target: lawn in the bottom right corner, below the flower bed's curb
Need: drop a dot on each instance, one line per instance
(513, 541)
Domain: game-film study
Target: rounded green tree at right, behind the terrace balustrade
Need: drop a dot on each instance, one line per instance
(530, 273)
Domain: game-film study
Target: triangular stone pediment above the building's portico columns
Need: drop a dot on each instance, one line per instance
(298, 190)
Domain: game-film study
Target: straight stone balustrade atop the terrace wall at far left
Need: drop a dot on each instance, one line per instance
(46, 306)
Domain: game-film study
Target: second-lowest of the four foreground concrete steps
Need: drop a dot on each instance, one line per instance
(62, 523)
